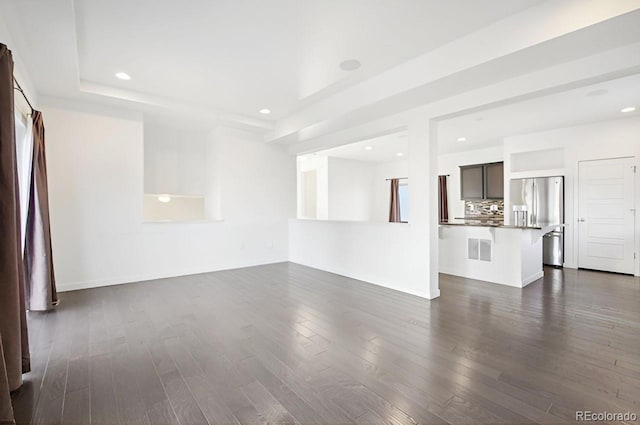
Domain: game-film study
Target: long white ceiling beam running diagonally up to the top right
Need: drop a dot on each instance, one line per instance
(542, 36)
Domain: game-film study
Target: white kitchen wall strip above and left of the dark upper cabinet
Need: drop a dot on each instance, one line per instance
(450, 164)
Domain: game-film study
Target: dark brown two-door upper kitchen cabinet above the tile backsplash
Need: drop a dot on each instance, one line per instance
(482, 181)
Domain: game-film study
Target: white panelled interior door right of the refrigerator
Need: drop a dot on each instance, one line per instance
(606, 215)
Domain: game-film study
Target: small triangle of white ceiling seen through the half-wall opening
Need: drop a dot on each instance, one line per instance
(383, 149)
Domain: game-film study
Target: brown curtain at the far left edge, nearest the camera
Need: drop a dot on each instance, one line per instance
(13, 324)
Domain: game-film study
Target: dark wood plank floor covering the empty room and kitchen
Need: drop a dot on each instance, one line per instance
(289, 344)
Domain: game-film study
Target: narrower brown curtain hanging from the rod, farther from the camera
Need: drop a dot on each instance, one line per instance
(41, 285)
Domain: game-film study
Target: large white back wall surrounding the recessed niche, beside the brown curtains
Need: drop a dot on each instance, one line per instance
(95, 162)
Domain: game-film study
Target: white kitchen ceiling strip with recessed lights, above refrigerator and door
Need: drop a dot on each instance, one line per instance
(488, 127)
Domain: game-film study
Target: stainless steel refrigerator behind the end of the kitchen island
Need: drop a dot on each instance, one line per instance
(544, 198)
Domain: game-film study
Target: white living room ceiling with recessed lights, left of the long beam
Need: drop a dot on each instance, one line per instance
(237, 56)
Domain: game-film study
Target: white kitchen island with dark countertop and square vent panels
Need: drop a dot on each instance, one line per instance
(493, 252)
